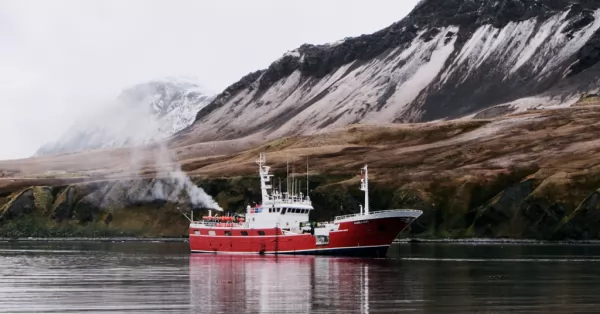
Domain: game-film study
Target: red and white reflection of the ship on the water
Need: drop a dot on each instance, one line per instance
(289, 284)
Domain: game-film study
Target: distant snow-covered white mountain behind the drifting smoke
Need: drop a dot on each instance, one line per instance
(141, 114)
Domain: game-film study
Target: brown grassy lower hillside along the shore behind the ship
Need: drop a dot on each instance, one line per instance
(528, 175)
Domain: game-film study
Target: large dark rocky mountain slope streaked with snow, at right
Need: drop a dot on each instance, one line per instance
(447, 59)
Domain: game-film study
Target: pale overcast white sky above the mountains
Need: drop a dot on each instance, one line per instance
(61, 59)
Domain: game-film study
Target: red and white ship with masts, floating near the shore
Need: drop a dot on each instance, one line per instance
(279, 224)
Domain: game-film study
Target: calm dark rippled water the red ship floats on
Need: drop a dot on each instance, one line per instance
(426, 278)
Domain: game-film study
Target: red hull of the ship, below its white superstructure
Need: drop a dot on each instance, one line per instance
(369, 237)
